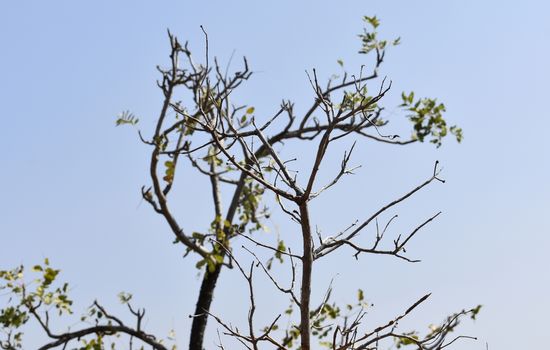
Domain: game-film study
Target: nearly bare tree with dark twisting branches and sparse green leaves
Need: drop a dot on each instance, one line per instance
(227, 143)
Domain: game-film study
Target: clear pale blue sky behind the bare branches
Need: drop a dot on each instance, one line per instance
(71, 180)
